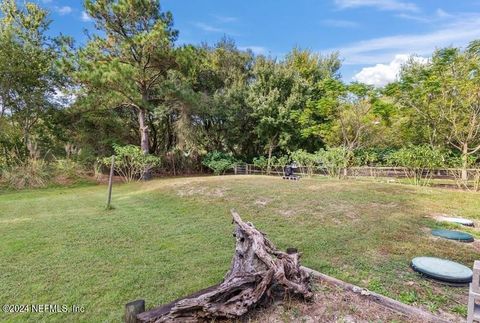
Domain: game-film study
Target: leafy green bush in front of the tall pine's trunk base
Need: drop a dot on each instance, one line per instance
(131, 163)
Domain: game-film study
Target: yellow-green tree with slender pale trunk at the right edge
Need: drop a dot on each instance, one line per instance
(445, 94)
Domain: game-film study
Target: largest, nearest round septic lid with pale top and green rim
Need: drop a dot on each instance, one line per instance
(442, 269)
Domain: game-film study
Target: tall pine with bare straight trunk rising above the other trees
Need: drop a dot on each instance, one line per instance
(126, 63)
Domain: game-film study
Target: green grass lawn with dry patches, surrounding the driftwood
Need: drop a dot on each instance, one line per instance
(169, 237)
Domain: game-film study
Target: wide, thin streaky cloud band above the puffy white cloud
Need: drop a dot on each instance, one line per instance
(459, 31)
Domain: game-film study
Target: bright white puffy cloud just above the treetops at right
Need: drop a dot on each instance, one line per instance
(382, 74)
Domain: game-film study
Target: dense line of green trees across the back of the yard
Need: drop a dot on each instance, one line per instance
(131, 83)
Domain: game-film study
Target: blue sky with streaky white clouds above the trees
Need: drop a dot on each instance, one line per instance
(374, 37)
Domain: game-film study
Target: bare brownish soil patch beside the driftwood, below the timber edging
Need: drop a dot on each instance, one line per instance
(330, 304)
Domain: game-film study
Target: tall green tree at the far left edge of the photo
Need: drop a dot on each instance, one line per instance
(28, 78)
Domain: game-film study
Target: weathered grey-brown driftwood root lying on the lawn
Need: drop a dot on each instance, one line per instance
(258, 273)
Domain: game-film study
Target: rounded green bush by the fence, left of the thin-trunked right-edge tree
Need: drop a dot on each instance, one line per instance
(418, 162)
